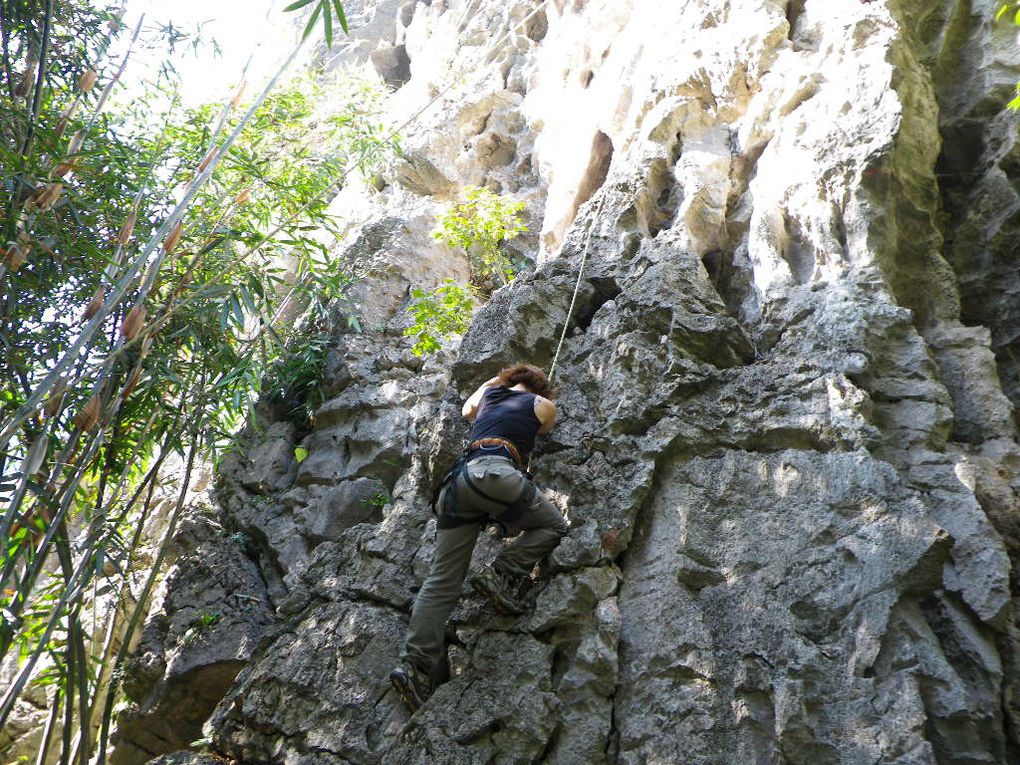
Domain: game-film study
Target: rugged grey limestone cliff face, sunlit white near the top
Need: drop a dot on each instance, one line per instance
(787, 445)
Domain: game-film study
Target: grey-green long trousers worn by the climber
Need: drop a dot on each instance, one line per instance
(541, 525)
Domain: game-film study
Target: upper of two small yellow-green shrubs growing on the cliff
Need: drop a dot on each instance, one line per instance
(479, 226)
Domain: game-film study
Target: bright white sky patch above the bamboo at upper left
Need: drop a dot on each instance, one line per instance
(240, 28)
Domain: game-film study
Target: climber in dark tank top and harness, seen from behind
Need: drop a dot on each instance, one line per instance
(488, 484)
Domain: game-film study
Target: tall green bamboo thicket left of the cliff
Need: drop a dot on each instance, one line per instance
(166, 334)
